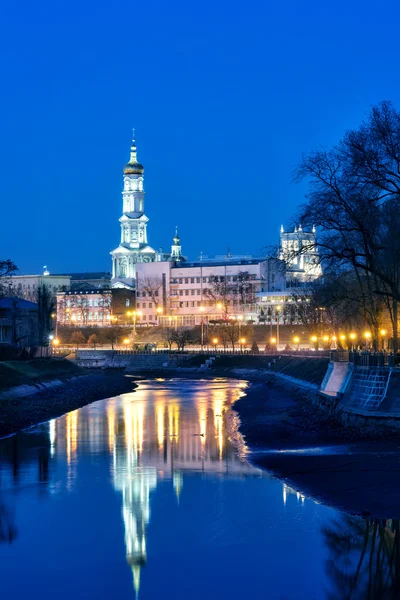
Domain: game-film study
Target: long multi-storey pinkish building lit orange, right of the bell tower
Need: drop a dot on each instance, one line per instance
(183, 293)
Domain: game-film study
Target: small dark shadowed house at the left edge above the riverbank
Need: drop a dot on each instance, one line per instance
(19, 322)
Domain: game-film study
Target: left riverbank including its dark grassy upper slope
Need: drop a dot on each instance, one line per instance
(61, 389)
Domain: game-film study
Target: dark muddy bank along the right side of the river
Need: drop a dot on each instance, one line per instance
(355, 471)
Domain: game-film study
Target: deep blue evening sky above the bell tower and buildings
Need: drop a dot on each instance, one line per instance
(224, 96)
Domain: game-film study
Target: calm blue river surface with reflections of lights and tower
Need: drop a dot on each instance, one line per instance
(150, 495)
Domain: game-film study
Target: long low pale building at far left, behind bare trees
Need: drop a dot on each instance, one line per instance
(26, 286)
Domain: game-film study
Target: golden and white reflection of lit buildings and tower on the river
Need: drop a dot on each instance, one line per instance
(156, 433)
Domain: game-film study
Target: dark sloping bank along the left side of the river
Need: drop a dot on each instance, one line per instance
(79, 389)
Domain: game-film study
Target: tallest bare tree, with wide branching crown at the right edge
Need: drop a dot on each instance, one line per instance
(354, 196)
